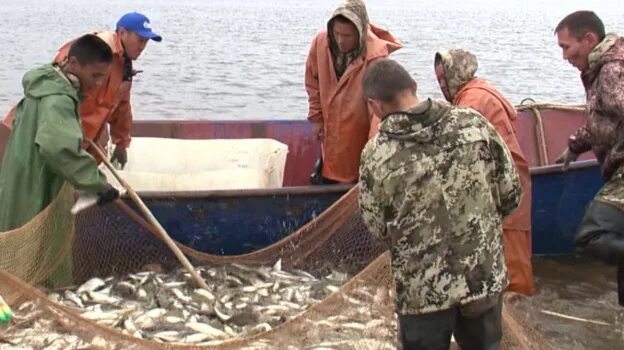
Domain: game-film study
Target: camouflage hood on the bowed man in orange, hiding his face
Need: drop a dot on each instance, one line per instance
(460, 67)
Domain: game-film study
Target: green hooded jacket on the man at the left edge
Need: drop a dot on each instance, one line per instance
(43, 150)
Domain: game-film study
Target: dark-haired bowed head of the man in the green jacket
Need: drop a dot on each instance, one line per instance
(89, 59)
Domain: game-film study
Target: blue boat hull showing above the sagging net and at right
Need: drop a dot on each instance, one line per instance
(239, 222)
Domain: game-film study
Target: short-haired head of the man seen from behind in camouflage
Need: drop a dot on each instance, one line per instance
(388, 87)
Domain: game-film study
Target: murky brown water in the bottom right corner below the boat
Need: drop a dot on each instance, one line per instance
(577, 287)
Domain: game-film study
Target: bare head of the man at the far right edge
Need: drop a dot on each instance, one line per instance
(577, 34)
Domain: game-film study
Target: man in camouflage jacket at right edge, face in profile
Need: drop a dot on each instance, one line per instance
(600, 59)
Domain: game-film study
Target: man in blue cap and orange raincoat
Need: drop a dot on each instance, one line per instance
(111, 101)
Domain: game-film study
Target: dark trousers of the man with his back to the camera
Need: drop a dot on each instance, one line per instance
(480, 331)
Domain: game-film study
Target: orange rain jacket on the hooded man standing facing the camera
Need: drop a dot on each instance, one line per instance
(339, 104)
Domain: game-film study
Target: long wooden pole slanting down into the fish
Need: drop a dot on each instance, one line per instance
(152, 220)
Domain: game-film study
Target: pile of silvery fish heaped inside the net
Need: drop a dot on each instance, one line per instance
(242, 301)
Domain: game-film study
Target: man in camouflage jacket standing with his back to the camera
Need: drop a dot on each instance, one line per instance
(435, 184)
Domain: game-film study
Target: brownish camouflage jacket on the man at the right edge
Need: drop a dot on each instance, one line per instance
(604, 88)
